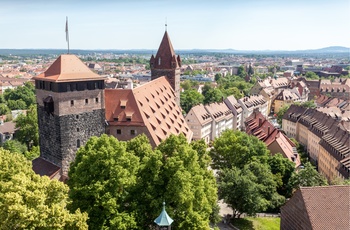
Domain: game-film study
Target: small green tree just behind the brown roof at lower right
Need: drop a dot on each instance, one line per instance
(306, 177)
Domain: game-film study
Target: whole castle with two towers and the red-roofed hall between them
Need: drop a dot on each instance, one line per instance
(73, 105)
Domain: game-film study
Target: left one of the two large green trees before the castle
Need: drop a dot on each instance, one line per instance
(100, 179)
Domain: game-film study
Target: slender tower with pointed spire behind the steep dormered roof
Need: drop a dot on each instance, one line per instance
(166, 63)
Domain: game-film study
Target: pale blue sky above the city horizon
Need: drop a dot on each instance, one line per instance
(191, 24)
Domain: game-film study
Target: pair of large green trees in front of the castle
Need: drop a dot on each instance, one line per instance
(122, 185)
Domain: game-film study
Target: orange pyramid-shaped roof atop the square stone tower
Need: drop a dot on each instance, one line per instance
(68, 67)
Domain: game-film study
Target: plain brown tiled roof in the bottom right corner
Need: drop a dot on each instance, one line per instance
(317, 208)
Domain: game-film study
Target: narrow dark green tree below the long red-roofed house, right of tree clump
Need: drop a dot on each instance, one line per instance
(283, 169)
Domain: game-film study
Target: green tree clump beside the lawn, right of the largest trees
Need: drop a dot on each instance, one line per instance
(246, 181)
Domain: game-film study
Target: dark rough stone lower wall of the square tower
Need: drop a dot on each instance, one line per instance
(59, 135)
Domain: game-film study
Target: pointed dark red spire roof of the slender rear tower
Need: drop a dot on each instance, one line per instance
(166, 57)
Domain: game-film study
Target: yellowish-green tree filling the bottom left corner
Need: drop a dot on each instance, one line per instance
(29, 201)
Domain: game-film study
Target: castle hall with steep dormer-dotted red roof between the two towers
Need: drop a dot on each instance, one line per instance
(150, 109)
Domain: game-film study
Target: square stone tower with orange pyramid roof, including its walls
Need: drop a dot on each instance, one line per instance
(70, 100)
